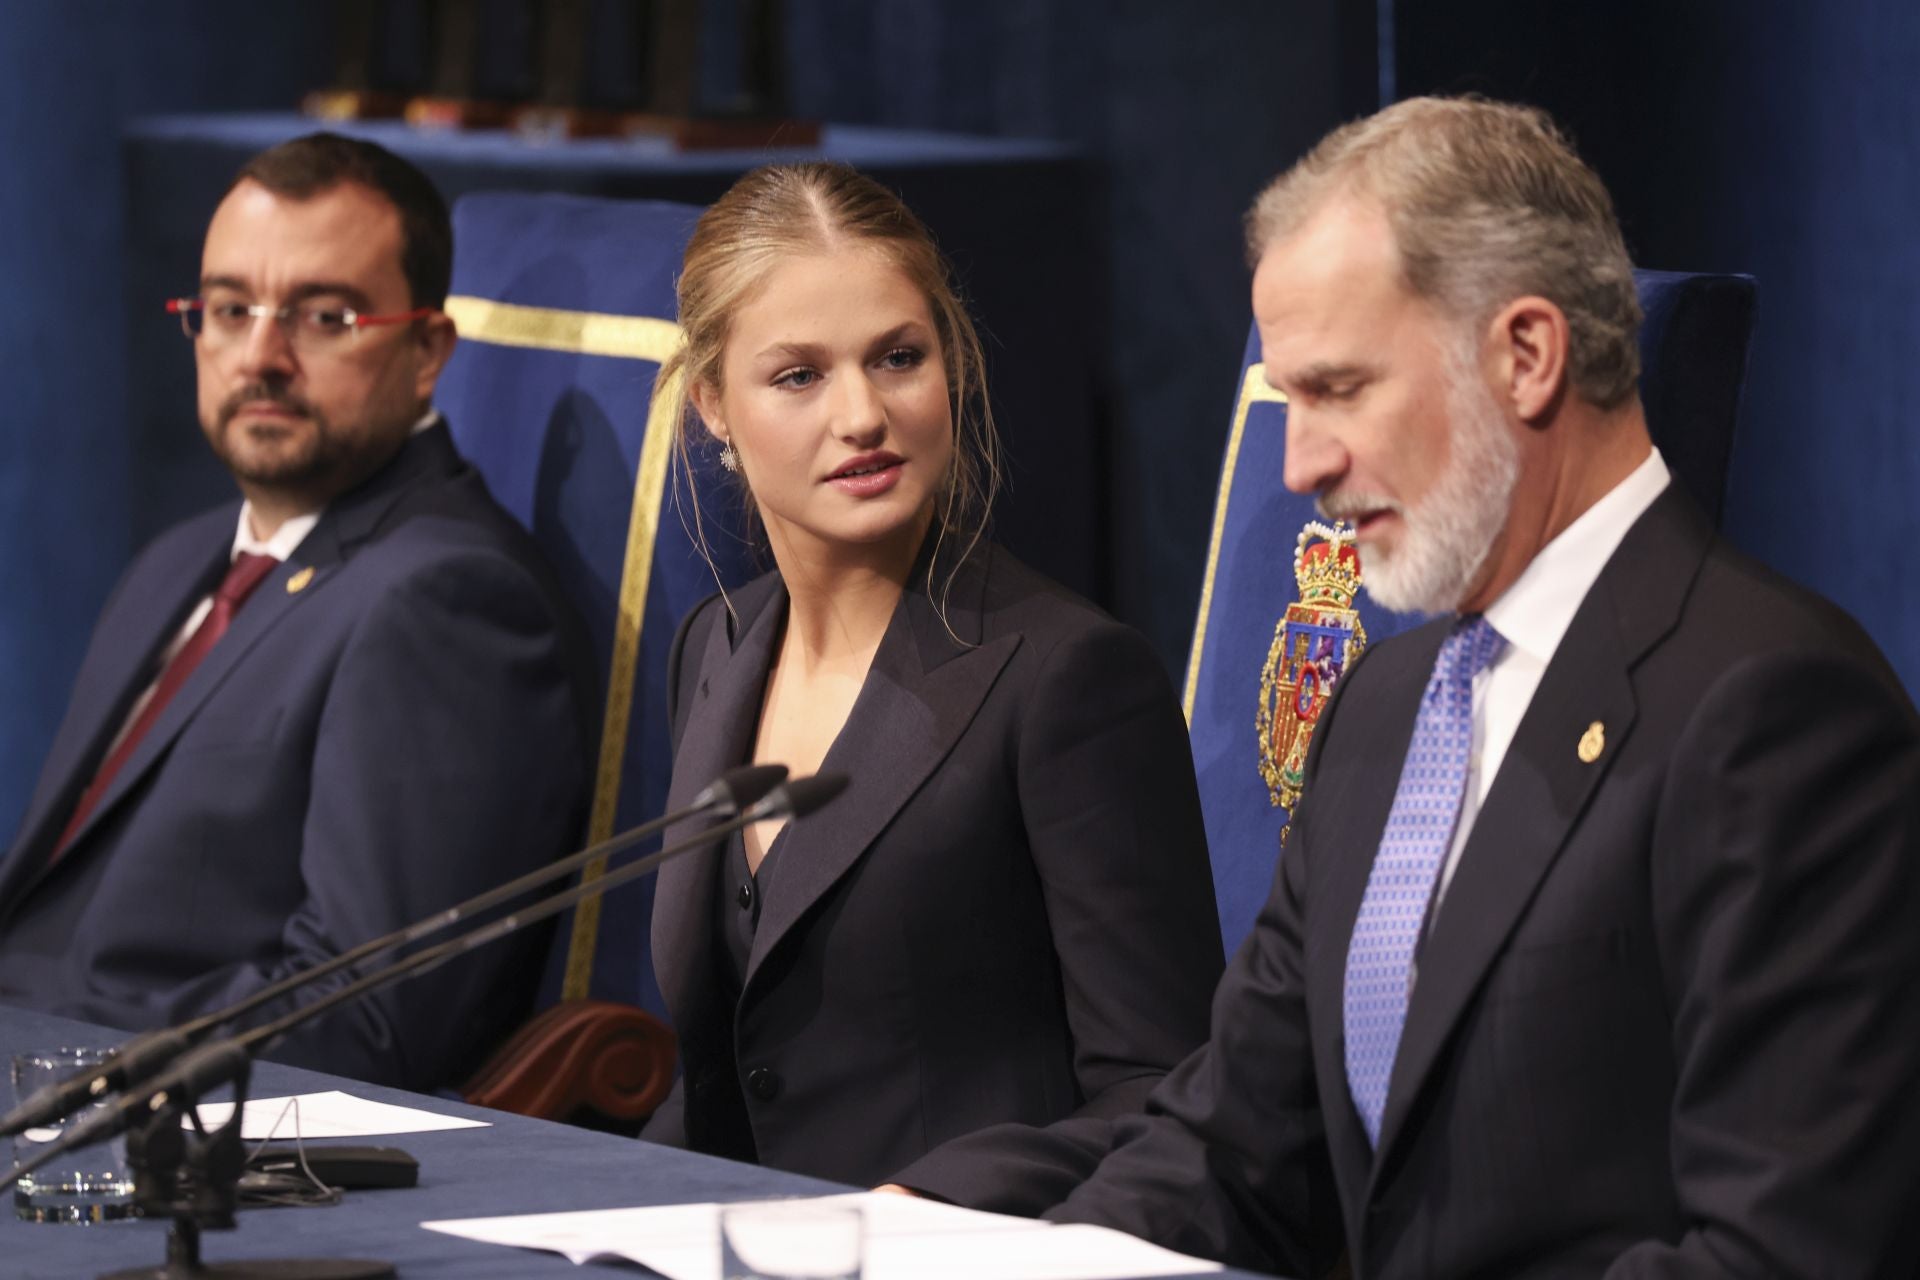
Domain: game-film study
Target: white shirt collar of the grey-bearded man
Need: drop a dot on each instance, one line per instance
(1535, 613)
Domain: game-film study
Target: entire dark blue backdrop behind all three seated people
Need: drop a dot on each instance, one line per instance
(1779, 139)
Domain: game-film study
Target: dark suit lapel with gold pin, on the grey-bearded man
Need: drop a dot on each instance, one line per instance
(1543, 786)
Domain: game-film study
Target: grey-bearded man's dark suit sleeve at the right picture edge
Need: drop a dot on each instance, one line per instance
(1788, 889)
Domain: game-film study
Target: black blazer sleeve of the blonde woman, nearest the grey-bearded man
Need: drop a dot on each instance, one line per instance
(1113, 817)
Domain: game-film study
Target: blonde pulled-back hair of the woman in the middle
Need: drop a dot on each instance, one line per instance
(779, 212)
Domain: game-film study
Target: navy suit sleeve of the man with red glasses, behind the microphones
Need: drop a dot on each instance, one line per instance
(450, 757)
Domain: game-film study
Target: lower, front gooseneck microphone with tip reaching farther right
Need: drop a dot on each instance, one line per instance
(218, 1064)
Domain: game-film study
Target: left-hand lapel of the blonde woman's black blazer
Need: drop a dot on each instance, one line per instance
(721, 730)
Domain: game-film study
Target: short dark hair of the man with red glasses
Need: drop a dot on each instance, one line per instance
(320, 162)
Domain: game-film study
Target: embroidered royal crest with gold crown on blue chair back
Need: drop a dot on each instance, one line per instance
(1314, 644)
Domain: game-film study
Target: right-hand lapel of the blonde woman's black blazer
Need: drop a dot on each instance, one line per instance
(919, 699)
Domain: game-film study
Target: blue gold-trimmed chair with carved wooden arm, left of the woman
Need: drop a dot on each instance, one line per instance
(565, 310)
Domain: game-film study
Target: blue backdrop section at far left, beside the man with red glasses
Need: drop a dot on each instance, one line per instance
(70, 74)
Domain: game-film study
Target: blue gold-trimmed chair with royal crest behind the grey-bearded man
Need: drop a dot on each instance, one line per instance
(1237, 694)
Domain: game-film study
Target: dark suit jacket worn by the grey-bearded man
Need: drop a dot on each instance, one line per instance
(1668, 1020)
